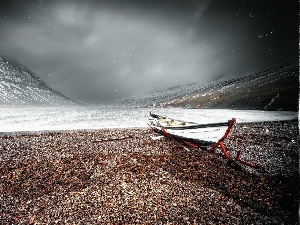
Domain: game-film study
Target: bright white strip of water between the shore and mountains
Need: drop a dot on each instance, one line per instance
(79, 118)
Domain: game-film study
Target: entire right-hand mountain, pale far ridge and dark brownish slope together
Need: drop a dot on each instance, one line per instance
(273, 89)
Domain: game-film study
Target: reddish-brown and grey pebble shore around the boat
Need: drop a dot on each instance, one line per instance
(134, 176)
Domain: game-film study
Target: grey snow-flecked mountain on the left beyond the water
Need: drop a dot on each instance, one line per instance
(20, 87)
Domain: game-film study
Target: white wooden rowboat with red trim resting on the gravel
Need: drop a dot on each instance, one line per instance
(205, 136)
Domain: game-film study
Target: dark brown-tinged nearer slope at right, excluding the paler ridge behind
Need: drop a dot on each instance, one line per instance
(273, 89)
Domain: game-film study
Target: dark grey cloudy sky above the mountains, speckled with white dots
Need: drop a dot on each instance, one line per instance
(95, 51)
